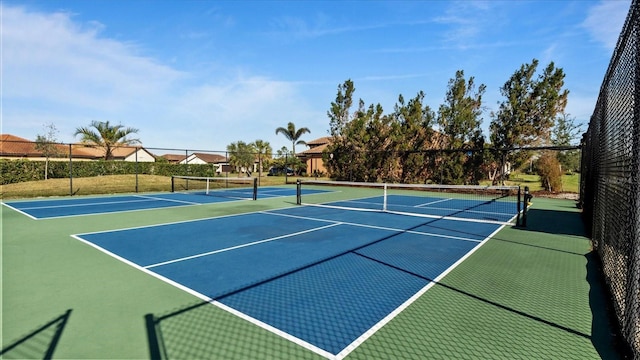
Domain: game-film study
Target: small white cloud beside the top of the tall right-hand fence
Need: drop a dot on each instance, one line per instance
(605, 20)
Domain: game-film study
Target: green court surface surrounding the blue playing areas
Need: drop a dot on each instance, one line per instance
(533, 293)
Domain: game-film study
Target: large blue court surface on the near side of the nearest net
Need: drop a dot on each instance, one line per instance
(321, 277)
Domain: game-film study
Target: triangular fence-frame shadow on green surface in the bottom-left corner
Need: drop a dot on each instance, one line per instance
(40, 343)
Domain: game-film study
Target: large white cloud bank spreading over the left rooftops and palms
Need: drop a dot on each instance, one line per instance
(57, 71)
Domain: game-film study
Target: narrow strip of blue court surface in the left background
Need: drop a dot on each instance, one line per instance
(50, 208)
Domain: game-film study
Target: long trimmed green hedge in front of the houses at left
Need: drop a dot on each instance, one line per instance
(15, 171)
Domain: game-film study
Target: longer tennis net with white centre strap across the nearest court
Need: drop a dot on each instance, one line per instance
(494, 204)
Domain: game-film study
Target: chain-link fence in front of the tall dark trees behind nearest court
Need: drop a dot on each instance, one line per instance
(541, 167)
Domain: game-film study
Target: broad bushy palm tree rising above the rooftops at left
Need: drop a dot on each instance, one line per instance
(106, 136)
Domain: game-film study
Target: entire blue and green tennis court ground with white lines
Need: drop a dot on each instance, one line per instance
(350, 273)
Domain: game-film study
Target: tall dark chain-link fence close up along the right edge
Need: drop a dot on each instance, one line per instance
(610, 186)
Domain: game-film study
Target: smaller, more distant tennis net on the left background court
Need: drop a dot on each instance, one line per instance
(235, 188)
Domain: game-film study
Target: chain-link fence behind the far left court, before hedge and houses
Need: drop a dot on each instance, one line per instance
(81, 169)
